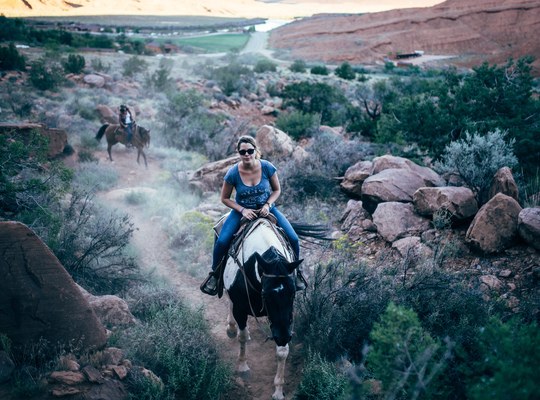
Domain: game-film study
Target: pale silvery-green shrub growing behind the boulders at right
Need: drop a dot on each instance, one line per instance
(477, 158)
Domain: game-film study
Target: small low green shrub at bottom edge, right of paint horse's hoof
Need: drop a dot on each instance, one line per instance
(321, 381)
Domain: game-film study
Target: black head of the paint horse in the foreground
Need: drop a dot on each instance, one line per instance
(278, 291)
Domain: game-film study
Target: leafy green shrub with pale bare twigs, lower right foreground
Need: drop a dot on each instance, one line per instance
(403, 355)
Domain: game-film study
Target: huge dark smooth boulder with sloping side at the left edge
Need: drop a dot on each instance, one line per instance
(38, 298)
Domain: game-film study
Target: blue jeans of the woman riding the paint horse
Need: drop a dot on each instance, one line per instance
(231, 226)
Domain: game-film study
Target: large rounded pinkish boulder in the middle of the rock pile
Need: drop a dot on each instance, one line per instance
(390, 185)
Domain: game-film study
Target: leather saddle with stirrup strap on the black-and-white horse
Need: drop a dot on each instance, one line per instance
(234, 249)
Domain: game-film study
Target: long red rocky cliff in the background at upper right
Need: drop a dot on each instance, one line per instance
(473, 32)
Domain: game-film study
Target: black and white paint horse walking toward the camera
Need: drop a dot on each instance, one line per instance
(260, 281)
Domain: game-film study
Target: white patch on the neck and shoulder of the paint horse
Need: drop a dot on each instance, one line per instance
(260, 239)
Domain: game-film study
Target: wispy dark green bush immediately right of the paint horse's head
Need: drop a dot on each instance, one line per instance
(335, 317)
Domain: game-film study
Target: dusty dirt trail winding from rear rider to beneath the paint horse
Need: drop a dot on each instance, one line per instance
(151, 243)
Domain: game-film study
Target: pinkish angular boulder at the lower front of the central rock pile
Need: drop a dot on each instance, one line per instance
(396, 220)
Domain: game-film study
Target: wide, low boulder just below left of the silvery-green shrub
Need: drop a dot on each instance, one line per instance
(459, 201)
